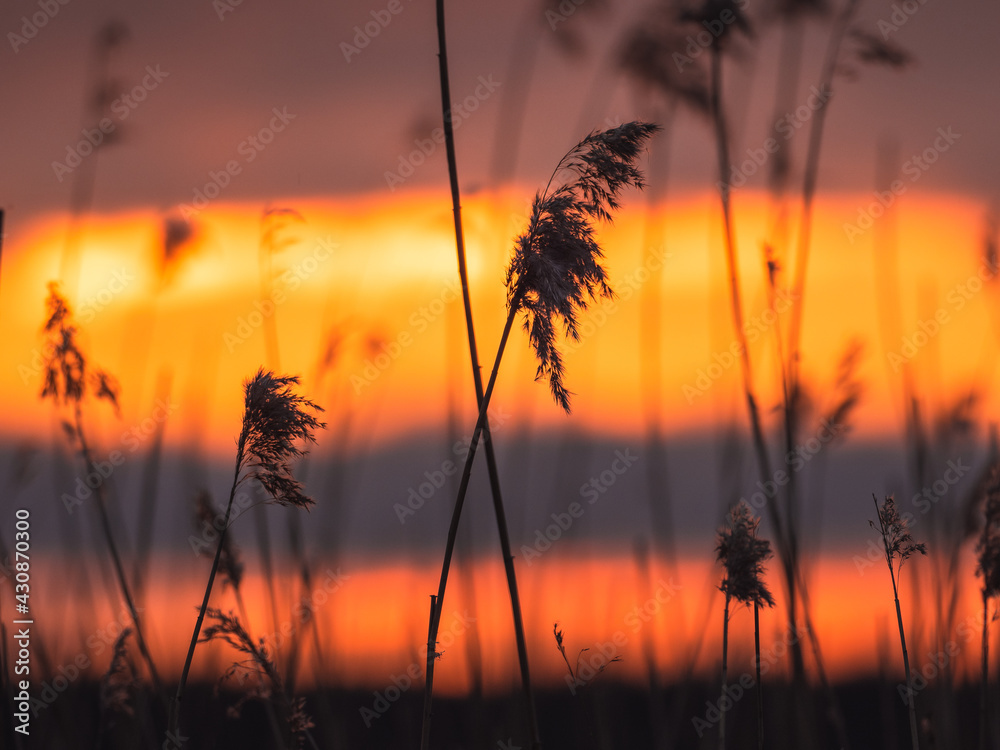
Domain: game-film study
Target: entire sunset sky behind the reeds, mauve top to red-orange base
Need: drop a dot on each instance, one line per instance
(365, 309)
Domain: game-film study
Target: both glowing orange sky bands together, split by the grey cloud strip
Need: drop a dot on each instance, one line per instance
(383, 273)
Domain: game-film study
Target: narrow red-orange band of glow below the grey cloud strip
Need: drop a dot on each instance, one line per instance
(373, 620)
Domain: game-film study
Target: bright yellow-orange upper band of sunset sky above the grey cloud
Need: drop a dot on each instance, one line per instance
(388, 289)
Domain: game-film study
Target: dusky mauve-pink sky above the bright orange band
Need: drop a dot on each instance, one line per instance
(355, 115)
